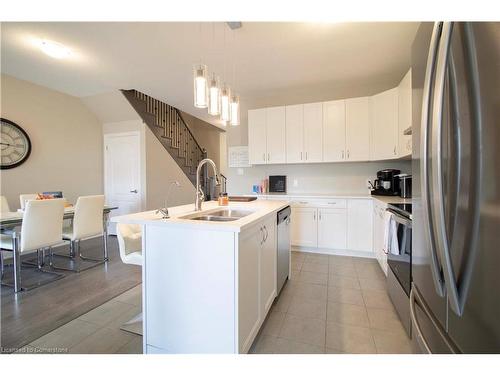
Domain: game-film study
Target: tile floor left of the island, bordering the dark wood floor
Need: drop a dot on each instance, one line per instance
(96, 332)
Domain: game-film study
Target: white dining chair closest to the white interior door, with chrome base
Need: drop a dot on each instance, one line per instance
(87, 224)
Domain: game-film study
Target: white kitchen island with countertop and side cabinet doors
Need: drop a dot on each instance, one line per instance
(207, 286)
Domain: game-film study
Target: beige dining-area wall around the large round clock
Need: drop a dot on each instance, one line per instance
(67, 144)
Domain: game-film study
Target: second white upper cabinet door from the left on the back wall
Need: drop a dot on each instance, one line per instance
(276, 135)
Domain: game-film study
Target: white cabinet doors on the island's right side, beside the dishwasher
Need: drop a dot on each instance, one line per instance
(256, 279)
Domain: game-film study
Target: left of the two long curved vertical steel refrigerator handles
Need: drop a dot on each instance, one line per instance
(424, 165)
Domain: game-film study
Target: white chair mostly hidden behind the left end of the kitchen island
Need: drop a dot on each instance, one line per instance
(130, 246)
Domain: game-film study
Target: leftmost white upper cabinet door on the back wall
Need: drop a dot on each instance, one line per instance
(257, 151)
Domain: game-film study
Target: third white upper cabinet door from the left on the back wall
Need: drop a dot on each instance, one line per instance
(294, 133)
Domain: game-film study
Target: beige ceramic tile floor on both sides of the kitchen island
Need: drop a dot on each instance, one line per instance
(331, 304)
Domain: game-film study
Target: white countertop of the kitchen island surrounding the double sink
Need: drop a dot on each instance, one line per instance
(259, 208)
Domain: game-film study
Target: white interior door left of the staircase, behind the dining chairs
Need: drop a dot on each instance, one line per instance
(122, 173)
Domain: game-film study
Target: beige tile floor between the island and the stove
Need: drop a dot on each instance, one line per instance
(332, 304)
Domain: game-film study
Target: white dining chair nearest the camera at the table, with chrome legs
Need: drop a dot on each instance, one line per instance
(41, 230)
